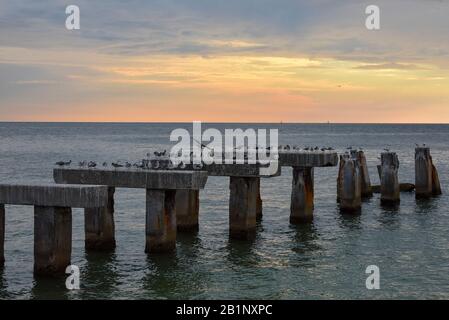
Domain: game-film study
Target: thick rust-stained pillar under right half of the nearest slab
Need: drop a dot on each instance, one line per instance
(52, 240)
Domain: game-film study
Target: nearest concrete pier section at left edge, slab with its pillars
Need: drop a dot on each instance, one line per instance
(52, 219)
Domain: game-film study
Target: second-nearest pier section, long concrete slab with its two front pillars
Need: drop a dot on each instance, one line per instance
(160, 185)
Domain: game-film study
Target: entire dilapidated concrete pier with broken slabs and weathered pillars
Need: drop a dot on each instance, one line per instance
(172, 198)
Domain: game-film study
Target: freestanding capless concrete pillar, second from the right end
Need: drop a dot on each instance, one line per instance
(389, 182)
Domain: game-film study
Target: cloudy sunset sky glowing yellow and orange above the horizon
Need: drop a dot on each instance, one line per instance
(225, 61)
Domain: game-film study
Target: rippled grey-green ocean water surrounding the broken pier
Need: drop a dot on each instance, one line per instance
(326, 259)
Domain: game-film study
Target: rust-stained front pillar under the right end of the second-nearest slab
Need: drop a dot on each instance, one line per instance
(160, 226)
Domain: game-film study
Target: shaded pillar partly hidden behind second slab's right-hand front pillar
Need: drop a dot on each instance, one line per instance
(187, 209)
